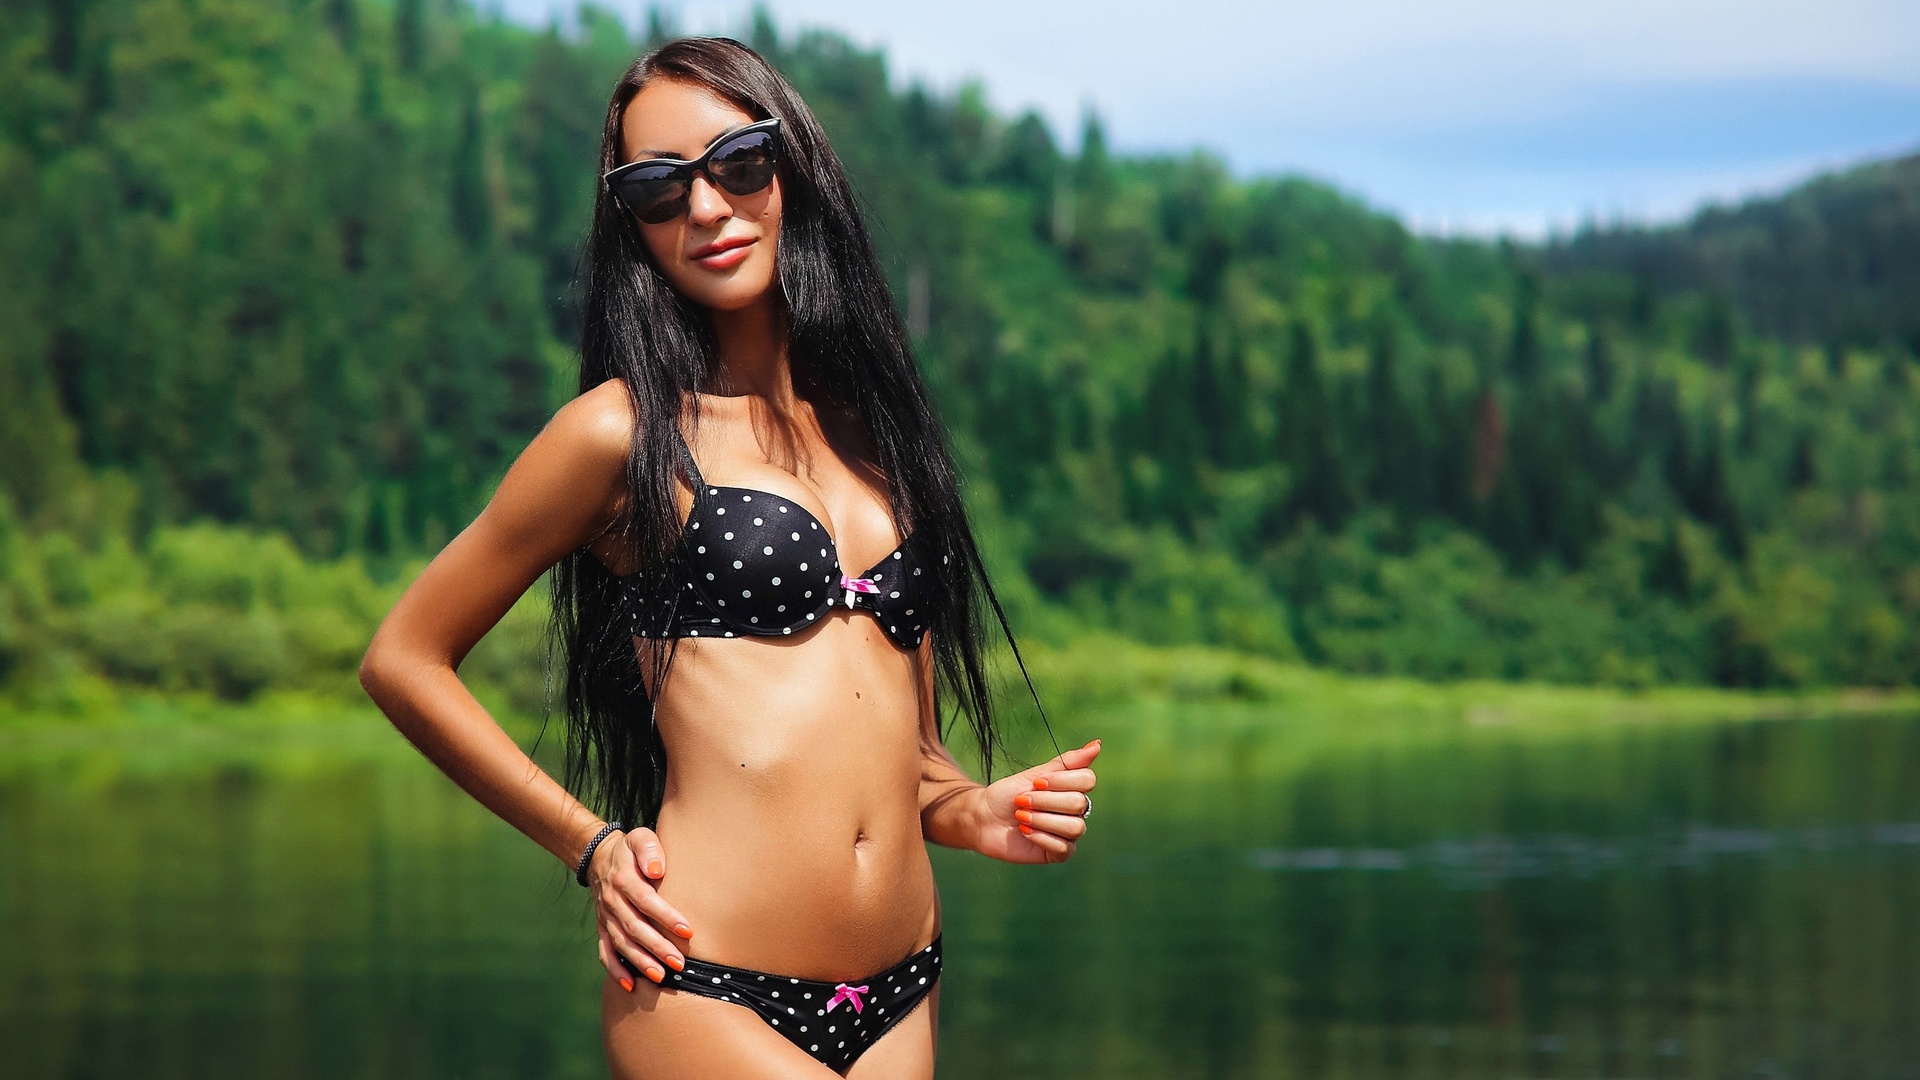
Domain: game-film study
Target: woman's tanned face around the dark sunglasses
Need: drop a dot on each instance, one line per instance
(721, 251)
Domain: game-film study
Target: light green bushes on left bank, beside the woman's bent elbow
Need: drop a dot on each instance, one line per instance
(214, 612)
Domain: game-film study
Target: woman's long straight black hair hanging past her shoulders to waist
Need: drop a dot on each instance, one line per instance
(848, 349)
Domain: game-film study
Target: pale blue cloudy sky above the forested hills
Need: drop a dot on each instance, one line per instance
(1460, 116)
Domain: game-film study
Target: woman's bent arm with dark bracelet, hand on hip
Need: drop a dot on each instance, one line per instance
(562, 495)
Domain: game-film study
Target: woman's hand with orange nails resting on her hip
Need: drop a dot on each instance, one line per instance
(631, 912)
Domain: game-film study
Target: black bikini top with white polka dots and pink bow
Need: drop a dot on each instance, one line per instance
(757, 564)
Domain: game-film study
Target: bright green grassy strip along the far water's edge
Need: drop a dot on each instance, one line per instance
(1138, 699)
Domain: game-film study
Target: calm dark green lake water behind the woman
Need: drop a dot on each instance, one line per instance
(1633, 902)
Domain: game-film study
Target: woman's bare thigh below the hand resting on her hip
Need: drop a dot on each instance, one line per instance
(656, 1035)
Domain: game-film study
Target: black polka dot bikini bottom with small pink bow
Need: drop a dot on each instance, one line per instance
(832, 1021)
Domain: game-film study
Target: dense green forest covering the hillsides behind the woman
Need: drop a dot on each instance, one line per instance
(285, 285)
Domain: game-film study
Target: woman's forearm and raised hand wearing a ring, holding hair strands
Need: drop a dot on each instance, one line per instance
(1028, 818)
